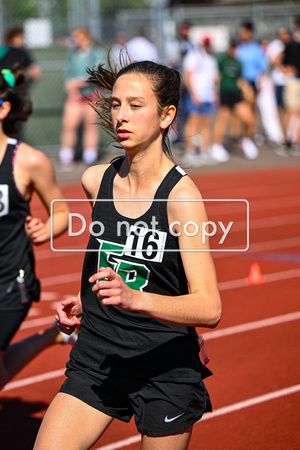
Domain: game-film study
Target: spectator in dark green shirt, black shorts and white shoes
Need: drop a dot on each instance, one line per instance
(232, 103)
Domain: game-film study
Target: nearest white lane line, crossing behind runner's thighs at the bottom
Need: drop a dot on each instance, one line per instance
(218, 412)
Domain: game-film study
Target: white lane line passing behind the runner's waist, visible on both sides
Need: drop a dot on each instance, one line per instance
(208, 335)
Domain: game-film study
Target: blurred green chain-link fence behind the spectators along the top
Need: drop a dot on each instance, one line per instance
(48, 25)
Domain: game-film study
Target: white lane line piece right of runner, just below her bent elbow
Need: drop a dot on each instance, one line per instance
(250, 326)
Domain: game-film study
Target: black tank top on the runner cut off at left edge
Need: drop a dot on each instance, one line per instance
(16, 253)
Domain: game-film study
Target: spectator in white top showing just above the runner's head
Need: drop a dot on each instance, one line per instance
(140, 48)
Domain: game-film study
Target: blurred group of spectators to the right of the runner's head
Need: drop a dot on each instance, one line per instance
(249, 94)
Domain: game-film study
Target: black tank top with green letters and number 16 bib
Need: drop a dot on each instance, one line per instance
(115, 342)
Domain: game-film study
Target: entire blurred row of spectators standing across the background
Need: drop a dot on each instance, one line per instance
(230, 100)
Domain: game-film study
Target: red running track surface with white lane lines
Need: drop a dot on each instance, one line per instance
(254, 352)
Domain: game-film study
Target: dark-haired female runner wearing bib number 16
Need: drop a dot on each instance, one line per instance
(144, 287)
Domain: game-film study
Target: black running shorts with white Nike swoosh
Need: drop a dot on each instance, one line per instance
(160, 408)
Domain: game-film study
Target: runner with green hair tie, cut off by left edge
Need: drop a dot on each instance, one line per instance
(23, 170)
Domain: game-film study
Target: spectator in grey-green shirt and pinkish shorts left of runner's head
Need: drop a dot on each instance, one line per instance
(77, 109)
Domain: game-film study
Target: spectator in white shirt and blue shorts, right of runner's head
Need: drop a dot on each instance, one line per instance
(201, 77)
